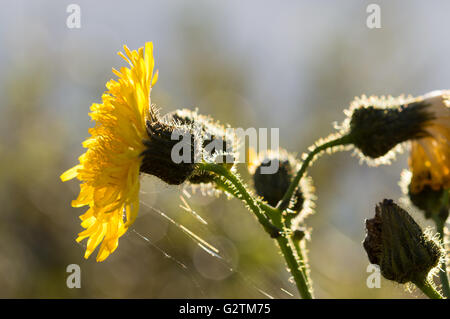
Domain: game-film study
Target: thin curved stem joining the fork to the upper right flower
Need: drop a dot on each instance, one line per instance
(284, 203)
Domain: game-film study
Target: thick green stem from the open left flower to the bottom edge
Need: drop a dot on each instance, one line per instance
(238, 190)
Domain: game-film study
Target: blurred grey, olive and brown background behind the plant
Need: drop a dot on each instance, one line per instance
(294, 65)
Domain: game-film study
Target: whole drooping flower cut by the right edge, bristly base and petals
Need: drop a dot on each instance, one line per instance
(378, 126)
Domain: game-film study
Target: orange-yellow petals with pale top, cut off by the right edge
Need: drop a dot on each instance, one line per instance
(429, 160)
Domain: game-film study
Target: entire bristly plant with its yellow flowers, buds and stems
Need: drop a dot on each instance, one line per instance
(131, 138)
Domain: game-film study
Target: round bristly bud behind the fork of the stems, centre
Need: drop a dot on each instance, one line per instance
(271, 187)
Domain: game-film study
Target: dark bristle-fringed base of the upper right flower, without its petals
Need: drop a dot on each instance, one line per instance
(378, 126)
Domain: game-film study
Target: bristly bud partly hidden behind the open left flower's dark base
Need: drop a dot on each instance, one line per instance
(218, 144)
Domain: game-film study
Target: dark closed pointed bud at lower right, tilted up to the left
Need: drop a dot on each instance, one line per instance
(396, 243)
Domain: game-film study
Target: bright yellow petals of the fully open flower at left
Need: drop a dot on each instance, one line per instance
(109, 169)
